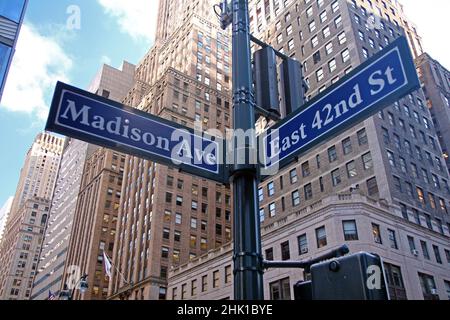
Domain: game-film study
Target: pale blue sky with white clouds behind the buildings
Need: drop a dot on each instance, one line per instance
(69, 40)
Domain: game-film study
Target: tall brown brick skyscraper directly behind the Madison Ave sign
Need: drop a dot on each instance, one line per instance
(167, 217)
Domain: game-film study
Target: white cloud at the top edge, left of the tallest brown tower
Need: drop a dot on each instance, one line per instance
(135, 17)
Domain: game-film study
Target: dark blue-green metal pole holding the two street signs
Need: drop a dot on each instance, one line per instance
(248, 260)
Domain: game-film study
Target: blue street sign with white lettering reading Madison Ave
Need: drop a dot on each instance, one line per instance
(94, 119)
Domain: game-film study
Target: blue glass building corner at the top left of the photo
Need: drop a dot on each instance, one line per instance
(11, 18)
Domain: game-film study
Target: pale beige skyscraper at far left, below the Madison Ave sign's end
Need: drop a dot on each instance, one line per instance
(24, 230)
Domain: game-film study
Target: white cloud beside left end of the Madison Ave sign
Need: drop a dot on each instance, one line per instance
(39, 62)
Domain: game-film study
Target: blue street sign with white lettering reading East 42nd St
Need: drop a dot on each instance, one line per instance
(377, 83)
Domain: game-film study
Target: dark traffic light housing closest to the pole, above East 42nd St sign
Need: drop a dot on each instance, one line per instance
(266, 80)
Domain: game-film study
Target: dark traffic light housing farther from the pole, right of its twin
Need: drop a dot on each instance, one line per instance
(292, 85)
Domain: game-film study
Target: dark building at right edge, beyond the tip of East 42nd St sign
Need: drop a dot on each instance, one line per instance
(435, 79)
